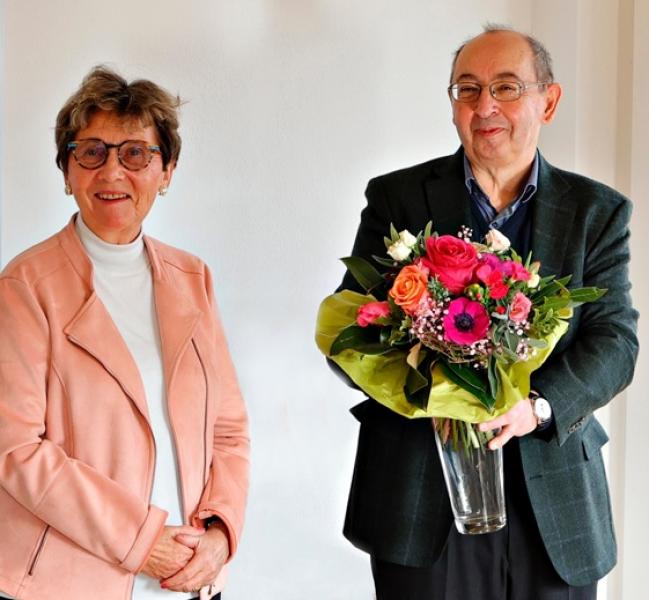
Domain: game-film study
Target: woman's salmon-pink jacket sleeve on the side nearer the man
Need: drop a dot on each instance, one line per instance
(226, 490)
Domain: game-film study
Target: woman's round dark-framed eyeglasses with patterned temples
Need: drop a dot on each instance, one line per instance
(93, 153)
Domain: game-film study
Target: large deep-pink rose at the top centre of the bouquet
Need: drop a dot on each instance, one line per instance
(452, 260)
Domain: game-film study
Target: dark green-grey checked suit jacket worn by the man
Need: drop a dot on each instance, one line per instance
(398, 507)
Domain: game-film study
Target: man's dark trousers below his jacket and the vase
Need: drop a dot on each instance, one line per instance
(510, 564)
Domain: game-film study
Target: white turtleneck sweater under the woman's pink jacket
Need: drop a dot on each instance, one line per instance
(124, 284)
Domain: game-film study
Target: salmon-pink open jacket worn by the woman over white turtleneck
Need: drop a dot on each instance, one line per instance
(76, 449)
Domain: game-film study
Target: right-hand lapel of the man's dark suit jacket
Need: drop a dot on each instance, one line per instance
(553, 212)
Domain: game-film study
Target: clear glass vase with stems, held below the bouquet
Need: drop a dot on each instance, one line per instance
(474, 477)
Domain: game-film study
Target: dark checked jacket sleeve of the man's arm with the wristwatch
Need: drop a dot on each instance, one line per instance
(600, 362)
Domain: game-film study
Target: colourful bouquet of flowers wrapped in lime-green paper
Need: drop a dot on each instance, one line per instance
(448, 328)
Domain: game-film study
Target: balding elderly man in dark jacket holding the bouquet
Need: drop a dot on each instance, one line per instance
(559, 539)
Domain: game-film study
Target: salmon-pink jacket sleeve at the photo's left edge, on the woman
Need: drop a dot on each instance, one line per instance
(70, 496)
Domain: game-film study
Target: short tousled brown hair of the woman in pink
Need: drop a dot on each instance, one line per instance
(141, 101)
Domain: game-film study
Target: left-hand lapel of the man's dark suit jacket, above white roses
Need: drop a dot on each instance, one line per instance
(447, 197)
